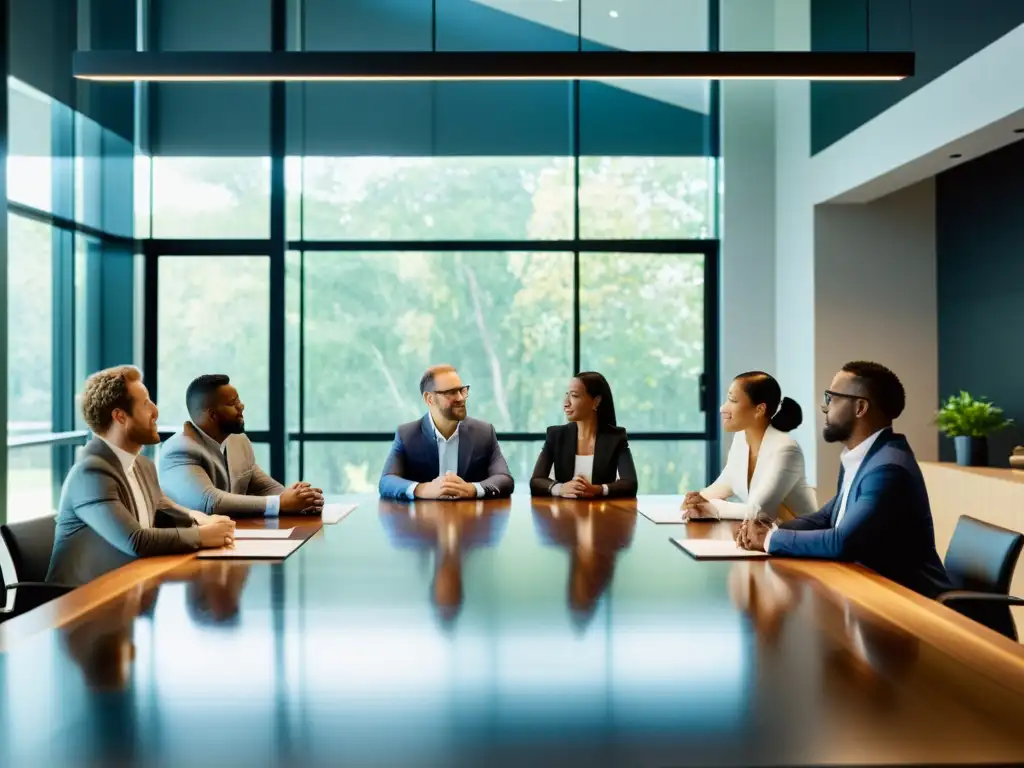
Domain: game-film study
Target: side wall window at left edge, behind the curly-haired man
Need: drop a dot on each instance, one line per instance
(62, 184)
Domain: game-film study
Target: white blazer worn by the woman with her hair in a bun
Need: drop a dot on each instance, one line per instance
(779, 480)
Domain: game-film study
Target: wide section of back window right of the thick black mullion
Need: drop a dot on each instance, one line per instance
(519, 231)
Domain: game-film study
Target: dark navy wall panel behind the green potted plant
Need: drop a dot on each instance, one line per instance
(980, 244)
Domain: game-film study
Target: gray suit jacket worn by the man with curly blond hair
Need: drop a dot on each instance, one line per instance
(98, 524)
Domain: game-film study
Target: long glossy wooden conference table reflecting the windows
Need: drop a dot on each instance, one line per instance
(502, 633)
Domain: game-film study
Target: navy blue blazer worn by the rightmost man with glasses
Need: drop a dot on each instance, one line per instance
(887, 526)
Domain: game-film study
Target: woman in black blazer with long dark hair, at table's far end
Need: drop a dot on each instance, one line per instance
(590, 455)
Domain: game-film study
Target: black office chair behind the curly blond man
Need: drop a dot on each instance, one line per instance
(29, 547)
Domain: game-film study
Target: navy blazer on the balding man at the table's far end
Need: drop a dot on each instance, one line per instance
(414, 459)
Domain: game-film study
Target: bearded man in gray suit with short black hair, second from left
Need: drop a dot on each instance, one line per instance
(210, 464)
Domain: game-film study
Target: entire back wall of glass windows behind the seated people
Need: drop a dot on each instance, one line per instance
(521, 232)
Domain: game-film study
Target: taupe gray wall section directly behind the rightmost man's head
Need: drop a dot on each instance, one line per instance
(876, 300)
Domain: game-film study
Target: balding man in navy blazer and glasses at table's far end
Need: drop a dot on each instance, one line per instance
(446, 455)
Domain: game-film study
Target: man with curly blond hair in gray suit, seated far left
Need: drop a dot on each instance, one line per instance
(112, 508)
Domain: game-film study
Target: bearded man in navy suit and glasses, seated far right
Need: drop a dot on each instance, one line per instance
(880, 516)
